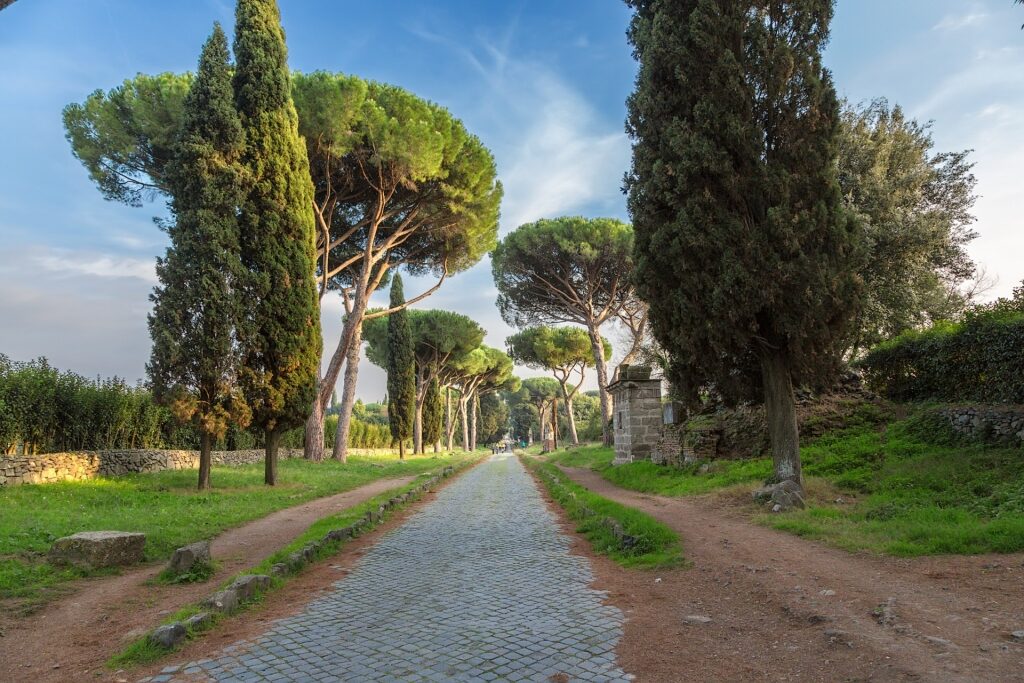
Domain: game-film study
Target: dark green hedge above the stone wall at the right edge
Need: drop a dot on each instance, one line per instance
(980, 360)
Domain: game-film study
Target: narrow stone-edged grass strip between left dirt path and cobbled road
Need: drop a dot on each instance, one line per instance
(143, 652)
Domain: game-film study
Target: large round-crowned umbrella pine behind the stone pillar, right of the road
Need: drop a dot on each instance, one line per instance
(567, 271)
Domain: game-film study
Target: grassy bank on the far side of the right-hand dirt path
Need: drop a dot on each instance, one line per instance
(911, 489)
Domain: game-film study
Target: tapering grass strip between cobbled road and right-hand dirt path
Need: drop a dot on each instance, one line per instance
(627, 536)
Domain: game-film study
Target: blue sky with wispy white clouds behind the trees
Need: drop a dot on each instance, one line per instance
(543, 84)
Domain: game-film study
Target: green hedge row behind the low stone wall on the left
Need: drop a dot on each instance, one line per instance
(51, 411)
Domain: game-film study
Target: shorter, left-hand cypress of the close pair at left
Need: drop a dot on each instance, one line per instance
(194, 362)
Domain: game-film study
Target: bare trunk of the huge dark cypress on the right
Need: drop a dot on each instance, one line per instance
(781, 410)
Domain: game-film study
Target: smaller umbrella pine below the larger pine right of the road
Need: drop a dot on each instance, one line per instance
(566, 352)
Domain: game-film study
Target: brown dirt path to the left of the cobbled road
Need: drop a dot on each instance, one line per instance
(72, 637)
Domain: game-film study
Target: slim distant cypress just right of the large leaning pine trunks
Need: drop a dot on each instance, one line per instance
(401, 370)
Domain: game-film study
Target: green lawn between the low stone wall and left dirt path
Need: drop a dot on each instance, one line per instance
(166, 507)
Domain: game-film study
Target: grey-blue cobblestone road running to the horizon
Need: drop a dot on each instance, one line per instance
(478, 586)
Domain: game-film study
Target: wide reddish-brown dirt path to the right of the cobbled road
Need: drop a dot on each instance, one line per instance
(783, 609)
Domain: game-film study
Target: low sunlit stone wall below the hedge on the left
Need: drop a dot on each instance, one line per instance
(53, 467)
